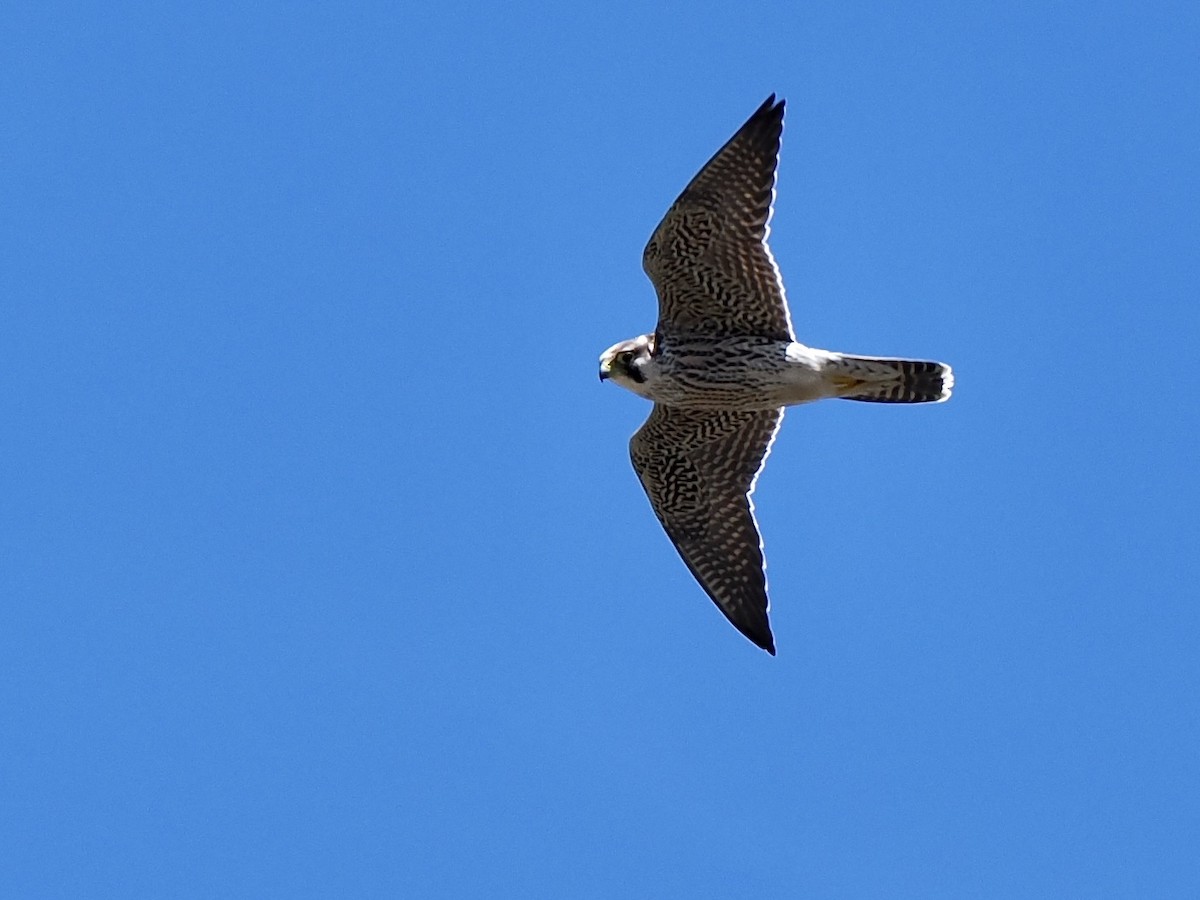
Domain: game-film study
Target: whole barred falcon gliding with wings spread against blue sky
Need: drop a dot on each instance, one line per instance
(722, 365)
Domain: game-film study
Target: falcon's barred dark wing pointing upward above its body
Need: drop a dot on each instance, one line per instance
(709, 259)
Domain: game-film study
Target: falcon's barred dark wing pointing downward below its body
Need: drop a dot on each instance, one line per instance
(699, 469)
